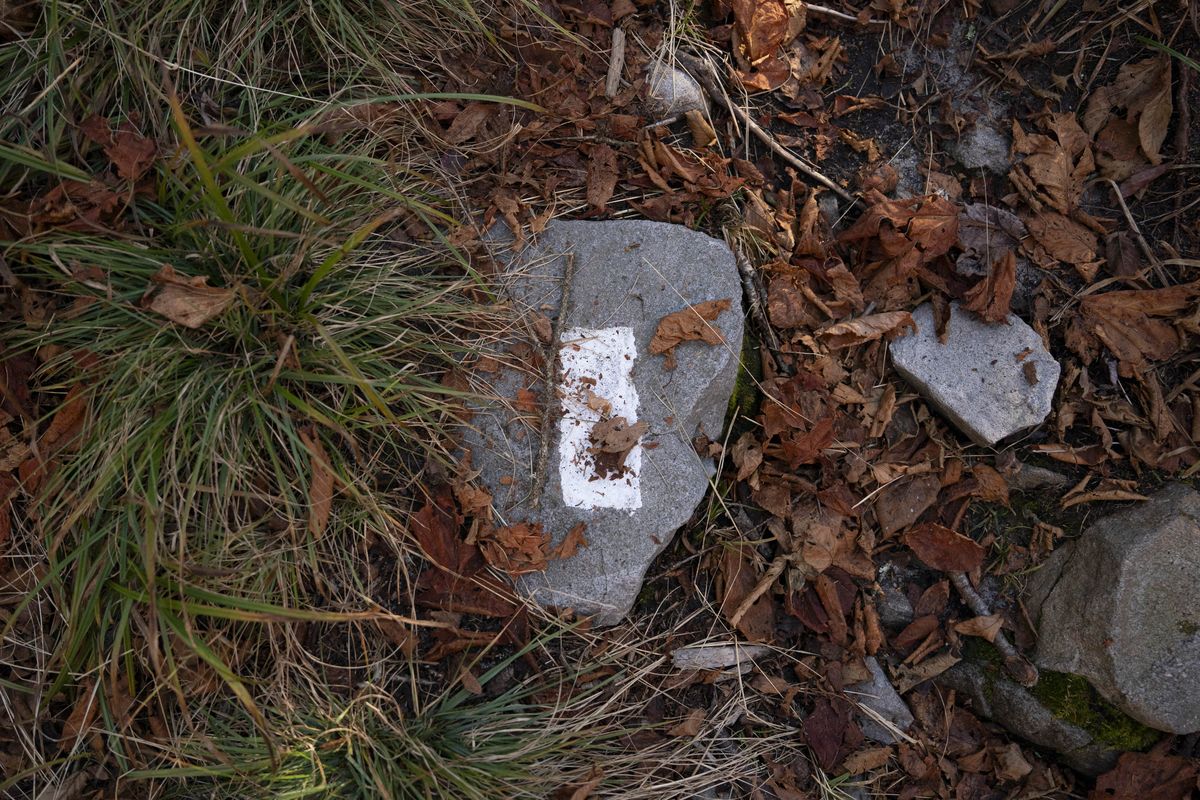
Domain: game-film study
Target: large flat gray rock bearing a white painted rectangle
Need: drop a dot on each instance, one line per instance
(628, 275)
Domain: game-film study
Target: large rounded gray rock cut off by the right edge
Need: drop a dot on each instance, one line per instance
(1120, 607)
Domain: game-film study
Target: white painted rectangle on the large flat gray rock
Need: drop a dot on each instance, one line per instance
(598, 366)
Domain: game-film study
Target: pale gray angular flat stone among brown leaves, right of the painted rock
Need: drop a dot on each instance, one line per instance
(992, 381)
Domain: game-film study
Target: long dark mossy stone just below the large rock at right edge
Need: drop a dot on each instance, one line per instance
(1013, 707)
